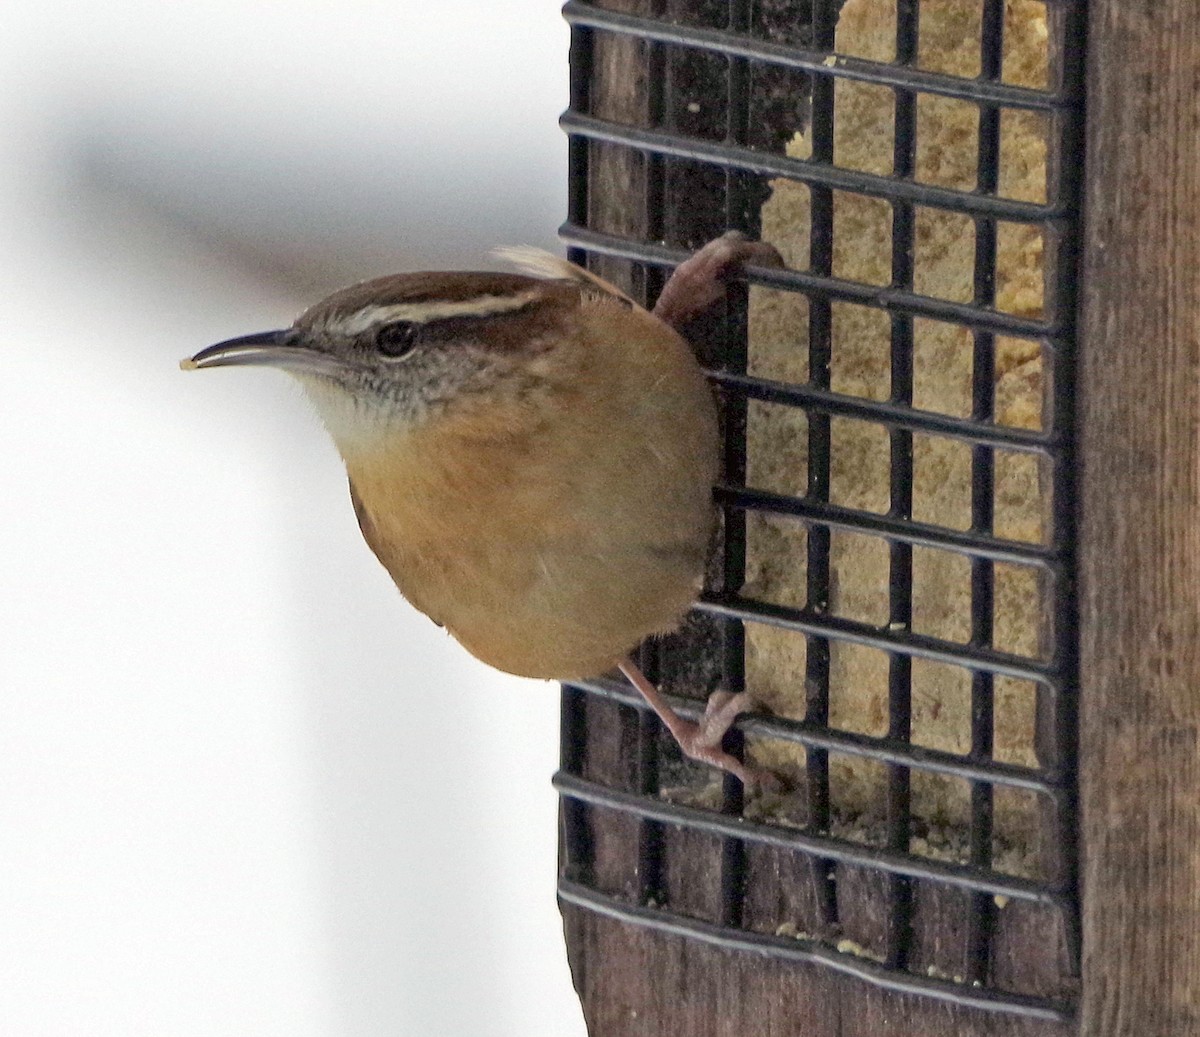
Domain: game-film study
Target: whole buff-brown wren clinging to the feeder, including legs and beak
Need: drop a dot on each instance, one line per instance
(530, 457)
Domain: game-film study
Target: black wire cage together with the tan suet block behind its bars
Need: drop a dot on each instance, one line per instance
(691, 118)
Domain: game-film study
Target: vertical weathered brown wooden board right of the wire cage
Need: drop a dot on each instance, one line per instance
(1141, 523)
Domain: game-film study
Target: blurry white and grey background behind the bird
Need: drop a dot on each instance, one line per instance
(244, 788)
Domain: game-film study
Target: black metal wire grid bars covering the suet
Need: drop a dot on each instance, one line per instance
(1055, 672)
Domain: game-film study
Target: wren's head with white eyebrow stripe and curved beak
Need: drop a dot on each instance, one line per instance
(387, 356)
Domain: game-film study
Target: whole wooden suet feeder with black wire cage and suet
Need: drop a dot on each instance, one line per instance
(957, 559)
